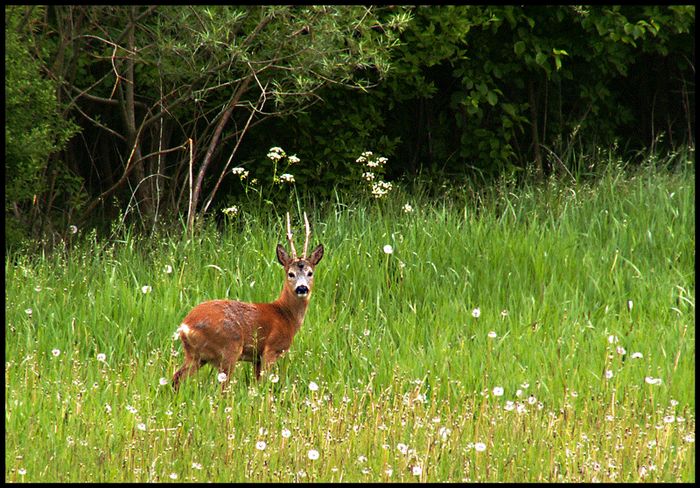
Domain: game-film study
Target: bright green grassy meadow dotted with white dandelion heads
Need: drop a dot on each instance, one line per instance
(514, 333)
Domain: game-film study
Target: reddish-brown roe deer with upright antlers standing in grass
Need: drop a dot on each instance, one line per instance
(222, 332)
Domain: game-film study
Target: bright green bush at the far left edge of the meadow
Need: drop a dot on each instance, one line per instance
(35, 129)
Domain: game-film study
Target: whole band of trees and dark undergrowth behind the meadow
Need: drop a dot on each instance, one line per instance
(145, 110)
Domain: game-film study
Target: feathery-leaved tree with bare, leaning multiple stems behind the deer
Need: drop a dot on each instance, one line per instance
(170, 92)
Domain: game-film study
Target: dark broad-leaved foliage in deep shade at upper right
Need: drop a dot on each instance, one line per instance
(465, 79)
